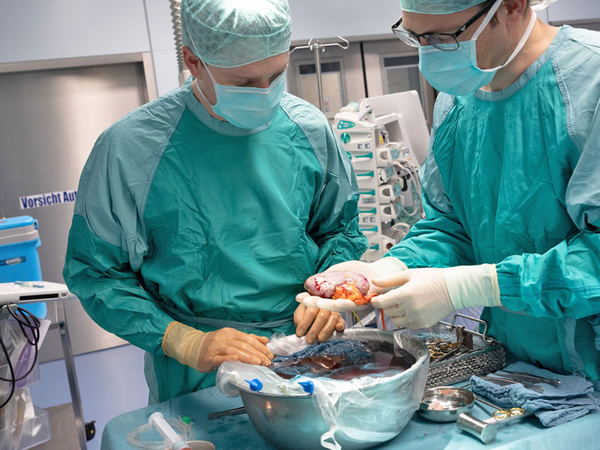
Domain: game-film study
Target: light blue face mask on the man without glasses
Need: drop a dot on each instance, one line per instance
(247, 107)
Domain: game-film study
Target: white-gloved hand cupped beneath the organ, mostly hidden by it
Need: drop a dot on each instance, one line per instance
(381, 268)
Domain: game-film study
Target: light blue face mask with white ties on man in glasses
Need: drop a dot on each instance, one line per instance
(455, 72)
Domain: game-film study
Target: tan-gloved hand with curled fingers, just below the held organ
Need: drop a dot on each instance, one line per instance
(322, 323)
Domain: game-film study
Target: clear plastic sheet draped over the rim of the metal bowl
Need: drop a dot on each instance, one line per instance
(368, 409)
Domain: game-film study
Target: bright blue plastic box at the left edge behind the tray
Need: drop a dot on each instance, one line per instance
(19, 259)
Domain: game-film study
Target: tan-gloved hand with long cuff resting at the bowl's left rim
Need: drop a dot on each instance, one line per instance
(206, 351)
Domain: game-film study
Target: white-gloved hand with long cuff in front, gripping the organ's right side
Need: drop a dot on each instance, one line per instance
(425, 296)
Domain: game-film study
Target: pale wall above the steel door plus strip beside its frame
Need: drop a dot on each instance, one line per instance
(32, 30)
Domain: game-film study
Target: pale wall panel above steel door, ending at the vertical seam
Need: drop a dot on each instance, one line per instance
(49, 29)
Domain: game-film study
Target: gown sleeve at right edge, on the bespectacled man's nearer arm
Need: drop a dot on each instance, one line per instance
(565, 280)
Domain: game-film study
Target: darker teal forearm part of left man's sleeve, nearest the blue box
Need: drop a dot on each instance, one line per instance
(98, 273)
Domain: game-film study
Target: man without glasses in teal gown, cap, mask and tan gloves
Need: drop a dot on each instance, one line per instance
(200, 214)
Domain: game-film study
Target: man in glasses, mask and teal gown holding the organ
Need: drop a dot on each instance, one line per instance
(511, 184)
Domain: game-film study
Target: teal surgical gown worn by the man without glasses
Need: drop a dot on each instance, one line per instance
(179, 215)
